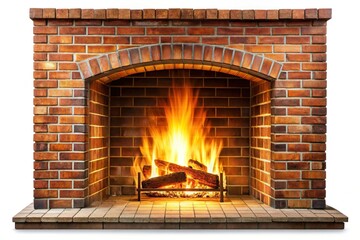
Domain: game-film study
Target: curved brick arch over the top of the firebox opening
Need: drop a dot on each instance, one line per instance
(112, 66)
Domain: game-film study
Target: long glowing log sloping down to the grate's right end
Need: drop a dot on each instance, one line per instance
(208, 179)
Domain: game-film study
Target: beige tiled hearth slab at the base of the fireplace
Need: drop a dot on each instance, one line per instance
(158, 213)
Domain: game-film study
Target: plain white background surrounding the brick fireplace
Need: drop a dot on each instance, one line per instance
(16, 93)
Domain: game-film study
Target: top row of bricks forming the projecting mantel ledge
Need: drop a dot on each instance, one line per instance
(188, 14)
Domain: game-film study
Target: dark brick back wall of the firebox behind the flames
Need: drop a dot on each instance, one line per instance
(225, 98)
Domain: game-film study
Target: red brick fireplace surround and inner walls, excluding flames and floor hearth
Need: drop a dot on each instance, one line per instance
(99, 74)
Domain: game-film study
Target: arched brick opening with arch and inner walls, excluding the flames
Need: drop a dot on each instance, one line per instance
(234, 89)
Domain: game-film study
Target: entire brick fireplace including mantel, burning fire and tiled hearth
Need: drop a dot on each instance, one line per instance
(226, 101)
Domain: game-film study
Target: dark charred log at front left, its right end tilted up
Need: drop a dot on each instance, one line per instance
(166, 180)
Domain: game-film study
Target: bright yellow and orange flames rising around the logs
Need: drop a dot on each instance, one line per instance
(183, 136)
